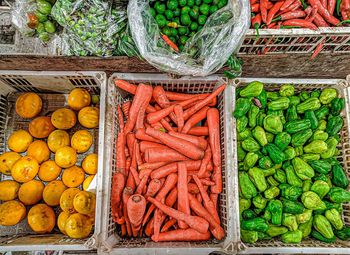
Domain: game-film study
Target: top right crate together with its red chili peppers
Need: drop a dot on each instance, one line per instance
(298, 26)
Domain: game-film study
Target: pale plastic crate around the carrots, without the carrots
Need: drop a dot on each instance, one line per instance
(111, 242)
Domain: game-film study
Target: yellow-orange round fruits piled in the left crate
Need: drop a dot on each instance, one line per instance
(41, 176)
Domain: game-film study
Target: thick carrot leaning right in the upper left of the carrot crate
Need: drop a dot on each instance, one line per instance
(143, 93)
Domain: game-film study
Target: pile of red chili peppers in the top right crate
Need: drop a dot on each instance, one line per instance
(299, 13)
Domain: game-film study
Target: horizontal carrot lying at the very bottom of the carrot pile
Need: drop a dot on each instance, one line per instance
(182, 235)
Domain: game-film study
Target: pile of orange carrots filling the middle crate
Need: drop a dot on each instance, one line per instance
(168, 170)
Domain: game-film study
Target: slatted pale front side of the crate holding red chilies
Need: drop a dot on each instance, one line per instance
(277, 41)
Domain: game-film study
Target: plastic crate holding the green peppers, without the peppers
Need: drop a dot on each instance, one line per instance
(309, 245)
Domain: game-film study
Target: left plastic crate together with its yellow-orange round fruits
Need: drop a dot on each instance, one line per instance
(51, 129)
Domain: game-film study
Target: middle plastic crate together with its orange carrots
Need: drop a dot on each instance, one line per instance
(169, 167)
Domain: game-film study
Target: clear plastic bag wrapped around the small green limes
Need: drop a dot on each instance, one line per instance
(204, 53)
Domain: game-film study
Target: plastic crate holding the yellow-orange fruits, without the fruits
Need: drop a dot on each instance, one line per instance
(53, 88)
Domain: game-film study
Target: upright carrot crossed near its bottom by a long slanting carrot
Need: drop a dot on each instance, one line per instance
(182, 201)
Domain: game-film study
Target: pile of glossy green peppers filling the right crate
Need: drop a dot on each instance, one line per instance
(291, 183)
